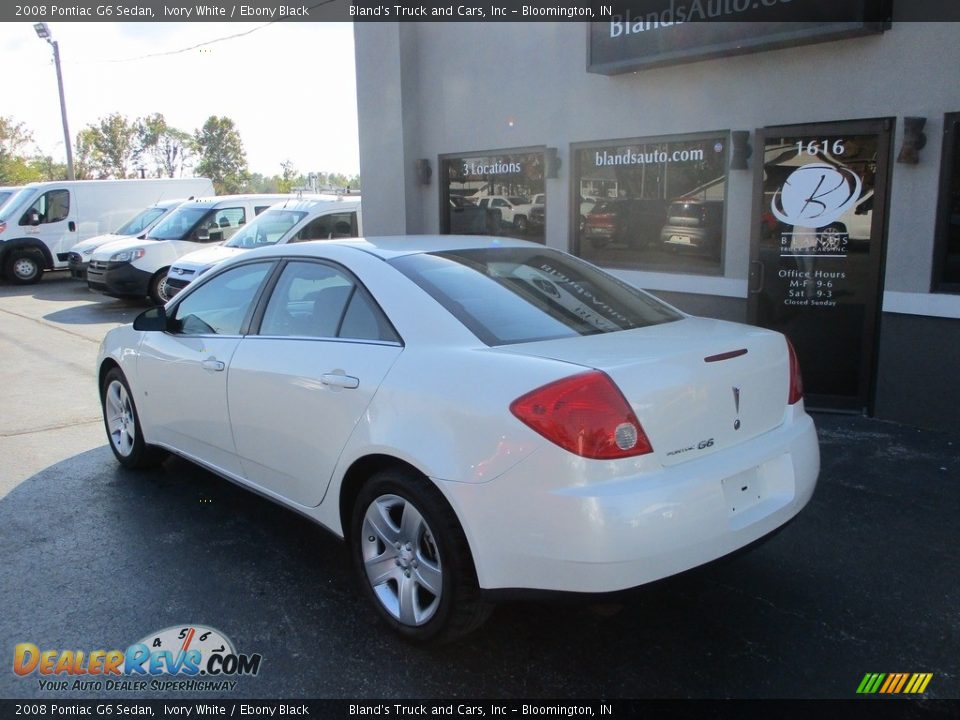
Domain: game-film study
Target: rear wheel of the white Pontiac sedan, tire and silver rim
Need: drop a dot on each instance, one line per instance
(437, 548)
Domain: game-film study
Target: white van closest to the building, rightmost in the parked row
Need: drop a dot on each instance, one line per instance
(310, 217)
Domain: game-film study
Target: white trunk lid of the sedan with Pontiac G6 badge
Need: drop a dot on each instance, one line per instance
(696, 385)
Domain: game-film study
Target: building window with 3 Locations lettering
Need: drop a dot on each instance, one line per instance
(500, 193)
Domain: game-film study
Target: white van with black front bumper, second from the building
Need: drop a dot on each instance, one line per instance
(138, 268)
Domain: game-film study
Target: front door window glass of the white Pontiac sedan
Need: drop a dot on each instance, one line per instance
(221, 305)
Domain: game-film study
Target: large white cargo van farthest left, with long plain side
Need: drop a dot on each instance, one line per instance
(43, 221)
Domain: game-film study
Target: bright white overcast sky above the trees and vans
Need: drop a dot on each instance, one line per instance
(288, 87)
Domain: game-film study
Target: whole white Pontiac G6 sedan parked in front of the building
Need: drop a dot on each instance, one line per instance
(470, 414)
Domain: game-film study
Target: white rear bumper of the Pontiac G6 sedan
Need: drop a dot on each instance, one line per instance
(559, 522)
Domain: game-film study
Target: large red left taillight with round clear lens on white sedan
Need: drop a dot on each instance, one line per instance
(585, 414)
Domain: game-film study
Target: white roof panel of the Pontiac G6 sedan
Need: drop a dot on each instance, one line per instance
(389, 247)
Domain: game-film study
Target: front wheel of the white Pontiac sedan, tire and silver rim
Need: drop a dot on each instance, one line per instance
(122, 423)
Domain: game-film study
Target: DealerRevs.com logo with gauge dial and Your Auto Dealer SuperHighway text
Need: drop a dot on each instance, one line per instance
(181, 657)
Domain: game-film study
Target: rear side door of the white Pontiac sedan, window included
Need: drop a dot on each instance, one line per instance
(299, 385)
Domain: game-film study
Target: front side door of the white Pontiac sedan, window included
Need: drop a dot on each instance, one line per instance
(184, 372)
